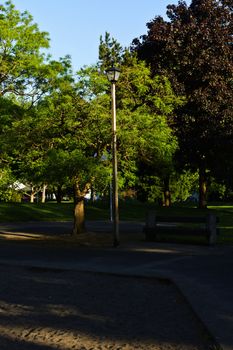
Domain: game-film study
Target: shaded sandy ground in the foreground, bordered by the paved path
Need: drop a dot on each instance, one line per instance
(53, 309)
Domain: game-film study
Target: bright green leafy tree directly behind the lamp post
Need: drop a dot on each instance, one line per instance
(143, 104)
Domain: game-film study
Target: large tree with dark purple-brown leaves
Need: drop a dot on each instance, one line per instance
(194, 50)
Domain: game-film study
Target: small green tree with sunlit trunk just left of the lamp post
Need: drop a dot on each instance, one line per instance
(78, 144)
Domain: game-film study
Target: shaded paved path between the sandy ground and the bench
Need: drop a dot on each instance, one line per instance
(202, 274)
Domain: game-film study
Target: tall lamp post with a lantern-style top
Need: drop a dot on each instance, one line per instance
(113, 75)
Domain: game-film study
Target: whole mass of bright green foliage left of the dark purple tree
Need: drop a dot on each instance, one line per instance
(64, 139)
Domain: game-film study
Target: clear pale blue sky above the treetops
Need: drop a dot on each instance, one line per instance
(75, 26)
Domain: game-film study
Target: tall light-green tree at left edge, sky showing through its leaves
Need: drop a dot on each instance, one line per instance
(26, 74)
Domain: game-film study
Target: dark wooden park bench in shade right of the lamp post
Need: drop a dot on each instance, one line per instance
(170, 225)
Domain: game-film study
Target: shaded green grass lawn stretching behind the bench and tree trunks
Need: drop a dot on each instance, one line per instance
(129, 210)
